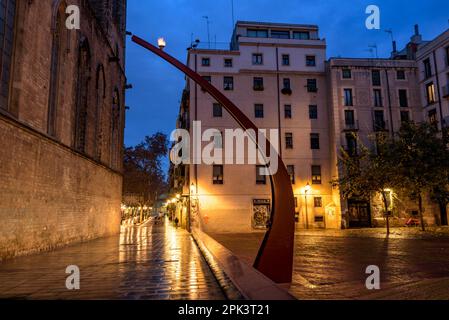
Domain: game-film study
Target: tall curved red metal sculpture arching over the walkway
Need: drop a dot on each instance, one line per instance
(275, 257)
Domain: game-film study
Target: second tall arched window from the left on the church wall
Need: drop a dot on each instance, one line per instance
(59, 45)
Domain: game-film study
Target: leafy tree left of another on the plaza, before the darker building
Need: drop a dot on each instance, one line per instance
(367, 172)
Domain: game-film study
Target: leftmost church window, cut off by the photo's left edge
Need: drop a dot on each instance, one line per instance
(7, 17)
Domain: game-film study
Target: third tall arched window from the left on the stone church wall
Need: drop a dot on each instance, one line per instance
(82, 95)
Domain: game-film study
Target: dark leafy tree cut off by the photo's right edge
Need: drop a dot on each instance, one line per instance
(423, 162)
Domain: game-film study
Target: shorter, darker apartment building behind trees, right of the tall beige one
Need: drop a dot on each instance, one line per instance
(371, 97)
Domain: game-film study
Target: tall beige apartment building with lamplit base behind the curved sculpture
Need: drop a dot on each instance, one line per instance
(277, 75)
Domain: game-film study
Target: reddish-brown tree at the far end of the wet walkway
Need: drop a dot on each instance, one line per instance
(143, 174)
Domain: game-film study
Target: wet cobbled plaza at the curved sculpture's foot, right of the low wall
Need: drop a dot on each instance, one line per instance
(332, 264)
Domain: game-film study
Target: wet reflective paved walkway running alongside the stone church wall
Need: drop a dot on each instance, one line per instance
(147, 262)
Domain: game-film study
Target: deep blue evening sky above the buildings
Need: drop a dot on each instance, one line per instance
(154, 101)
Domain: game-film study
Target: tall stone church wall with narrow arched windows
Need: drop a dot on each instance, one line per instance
(61, 123)
